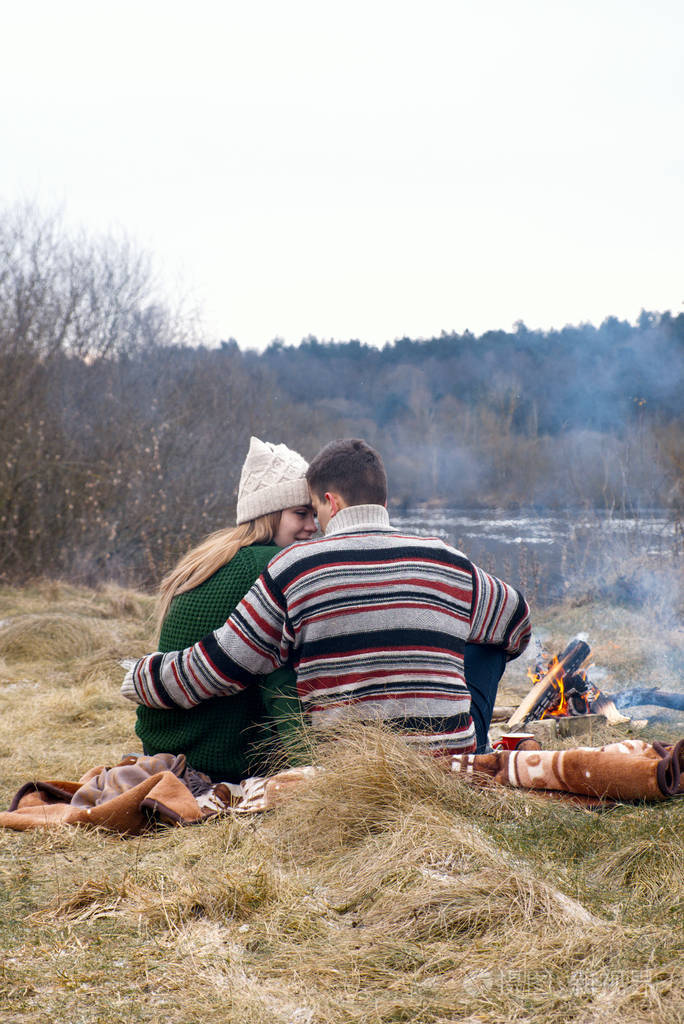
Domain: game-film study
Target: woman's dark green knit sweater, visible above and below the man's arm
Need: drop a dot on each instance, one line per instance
(227, 738)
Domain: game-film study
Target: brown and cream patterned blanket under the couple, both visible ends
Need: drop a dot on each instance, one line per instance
(144, 791)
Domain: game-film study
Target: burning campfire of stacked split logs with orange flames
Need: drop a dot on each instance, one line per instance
(562, 689)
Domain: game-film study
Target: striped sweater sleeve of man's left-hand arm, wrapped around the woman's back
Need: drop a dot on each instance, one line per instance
(254, 642)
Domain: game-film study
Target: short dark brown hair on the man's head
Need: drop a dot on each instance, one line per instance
(351, 468)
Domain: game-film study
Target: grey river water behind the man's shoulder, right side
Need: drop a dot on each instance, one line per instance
(548, 553)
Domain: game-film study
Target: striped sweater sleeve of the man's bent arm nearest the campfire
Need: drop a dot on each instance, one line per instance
(499, 615)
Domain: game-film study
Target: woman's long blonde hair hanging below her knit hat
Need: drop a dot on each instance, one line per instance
(208, 557)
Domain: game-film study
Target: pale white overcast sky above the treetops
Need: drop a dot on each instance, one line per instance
(363, 169)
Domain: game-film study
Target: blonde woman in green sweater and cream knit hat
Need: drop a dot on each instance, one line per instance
(229, 740)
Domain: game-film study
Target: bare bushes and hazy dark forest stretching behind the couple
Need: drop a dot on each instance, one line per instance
(123, 429)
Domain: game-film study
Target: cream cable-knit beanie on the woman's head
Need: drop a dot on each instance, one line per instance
(273, 479)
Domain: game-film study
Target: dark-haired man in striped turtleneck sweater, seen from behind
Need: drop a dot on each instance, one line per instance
(379, 626)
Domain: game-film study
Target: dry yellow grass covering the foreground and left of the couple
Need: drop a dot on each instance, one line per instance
(386, 891)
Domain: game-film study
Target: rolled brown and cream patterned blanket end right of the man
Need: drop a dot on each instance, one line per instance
(629, 771)
